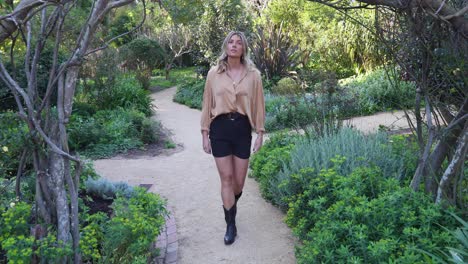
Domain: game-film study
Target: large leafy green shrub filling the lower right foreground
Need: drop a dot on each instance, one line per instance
(364, 216)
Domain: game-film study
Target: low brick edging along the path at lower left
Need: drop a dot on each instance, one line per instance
(167, 242)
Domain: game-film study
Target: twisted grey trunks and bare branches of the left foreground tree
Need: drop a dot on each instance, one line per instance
(56, 190)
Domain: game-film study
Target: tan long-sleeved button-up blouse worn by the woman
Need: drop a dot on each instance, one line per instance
(223, 95)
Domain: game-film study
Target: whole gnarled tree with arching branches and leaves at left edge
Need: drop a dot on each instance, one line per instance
(42, 24)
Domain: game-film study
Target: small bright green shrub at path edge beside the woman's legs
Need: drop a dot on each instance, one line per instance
(273, 155)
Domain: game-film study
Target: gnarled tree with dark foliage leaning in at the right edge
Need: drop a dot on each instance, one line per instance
(428, 40)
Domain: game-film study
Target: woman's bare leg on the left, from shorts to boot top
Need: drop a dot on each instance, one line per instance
(225, 169)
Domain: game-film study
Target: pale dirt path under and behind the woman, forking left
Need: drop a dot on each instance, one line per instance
(189, 180)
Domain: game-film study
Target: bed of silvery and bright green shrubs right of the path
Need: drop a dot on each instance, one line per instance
(344, 198)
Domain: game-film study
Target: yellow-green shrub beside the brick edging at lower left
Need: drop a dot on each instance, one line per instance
(136, 224)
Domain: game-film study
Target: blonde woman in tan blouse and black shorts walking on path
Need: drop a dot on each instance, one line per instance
(233, 104)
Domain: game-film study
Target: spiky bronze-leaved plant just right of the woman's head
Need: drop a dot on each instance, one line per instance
(273, 51)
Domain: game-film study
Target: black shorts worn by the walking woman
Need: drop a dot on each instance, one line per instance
(231, 134)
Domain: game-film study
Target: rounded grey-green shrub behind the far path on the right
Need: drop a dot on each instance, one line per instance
(376, 92)
